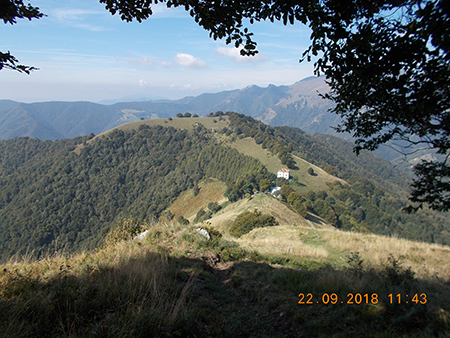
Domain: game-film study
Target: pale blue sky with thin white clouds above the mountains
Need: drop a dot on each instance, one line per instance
(85, 54)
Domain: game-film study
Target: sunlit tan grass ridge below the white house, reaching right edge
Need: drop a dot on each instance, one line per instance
(298, 237)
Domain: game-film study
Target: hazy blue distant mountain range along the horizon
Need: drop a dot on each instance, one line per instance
(298, 105)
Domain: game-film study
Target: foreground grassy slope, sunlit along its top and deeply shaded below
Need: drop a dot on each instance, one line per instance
(176, 283)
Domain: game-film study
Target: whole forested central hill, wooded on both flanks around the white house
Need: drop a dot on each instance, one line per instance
(53, 198)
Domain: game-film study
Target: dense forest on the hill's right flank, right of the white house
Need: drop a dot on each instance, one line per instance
(374, 200)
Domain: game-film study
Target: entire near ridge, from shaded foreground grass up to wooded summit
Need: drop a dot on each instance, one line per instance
(218, 254)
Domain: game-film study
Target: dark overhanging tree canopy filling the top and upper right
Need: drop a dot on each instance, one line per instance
(387, 63)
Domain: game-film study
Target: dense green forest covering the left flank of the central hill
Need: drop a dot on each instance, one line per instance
(51, 198)
